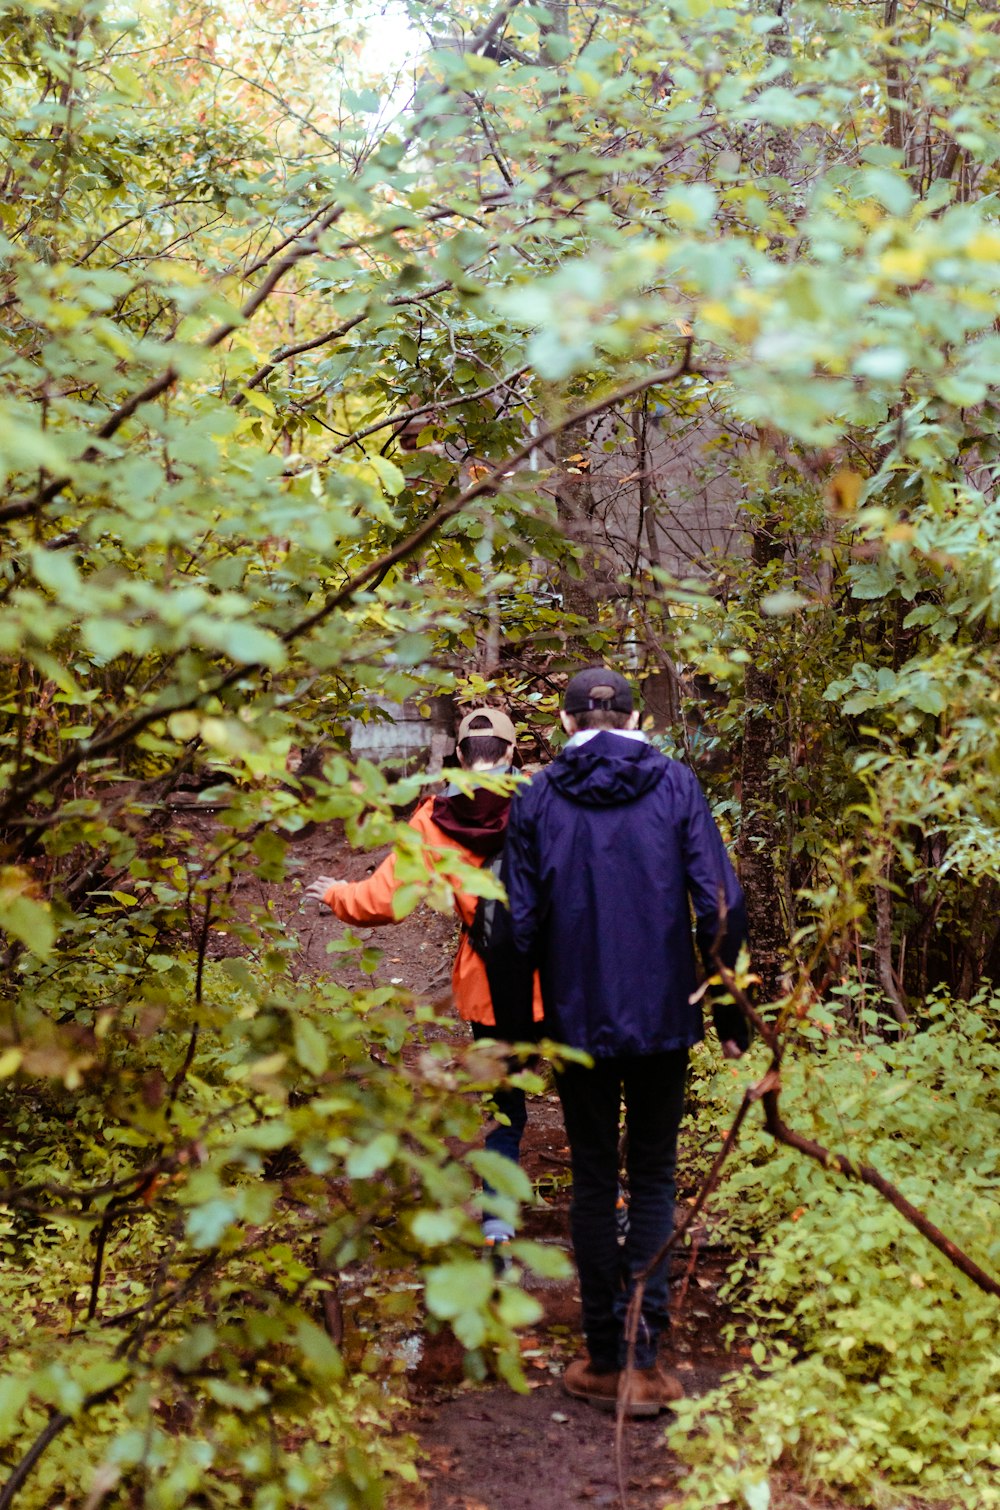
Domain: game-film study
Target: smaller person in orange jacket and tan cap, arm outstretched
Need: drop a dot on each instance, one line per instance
(474, 825)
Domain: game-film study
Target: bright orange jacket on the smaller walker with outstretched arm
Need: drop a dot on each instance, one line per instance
(369, 904)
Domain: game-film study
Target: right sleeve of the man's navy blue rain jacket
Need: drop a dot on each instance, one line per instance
(720, 907)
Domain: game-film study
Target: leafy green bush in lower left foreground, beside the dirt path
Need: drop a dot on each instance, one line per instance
(206, 1281)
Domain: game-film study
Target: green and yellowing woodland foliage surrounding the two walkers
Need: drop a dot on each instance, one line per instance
(425, 353)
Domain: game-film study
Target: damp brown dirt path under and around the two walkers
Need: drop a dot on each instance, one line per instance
(487, 1447)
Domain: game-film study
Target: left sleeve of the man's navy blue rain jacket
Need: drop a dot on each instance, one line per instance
(511, 958)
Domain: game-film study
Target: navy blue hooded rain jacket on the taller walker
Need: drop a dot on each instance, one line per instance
(606, 851)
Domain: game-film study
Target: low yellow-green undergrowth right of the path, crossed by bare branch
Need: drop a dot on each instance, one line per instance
(875, 1360)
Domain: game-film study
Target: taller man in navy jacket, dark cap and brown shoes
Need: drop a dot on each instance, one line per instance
(606, 849)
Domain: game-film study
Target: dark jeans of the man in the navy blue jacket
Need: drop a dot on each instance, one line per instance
(653, 1088)
